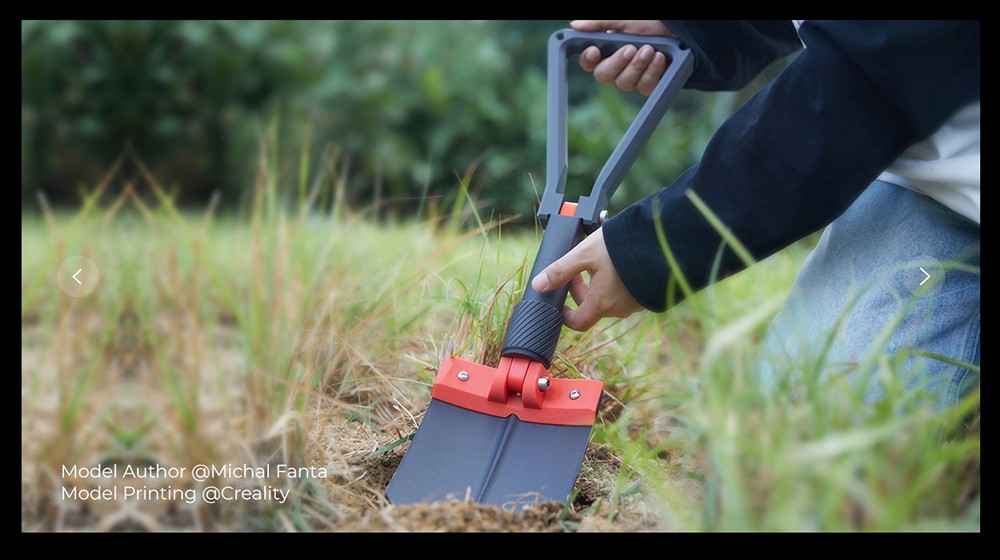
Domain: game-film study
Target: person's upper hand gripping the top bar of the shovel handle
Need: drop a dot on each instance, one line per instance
(629, 68)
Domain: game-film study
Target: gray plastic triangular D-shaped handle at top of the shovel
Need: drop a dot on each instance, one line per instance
(568, 43)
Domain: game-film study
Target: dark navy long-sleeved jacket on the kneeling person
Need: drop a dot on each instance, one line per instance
(795, 156)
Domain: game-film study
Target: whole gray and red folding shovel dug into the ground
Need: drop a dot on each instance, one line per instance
(513, 435)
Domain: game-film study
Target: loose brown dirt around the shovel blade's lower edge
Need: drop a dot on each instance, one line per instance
(358, 491)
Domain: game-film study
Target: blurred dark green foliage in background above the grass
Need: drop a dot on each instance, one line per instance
(398, 109)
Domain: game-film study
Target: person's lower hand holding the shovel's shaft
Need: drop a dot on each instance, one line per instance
(606, 296)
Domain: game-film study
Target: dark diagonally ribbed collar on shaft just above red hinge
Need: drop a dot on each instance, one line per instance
(533, 332)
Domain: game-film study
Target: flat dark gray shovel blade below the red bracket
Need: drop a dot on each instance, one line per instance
(460, 454)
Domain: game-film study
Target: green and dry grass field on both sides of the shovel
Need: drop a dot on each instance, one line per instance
(237, 332)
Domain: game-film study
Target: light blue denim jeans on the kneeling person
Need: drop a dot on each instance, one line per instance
(861, 305)
